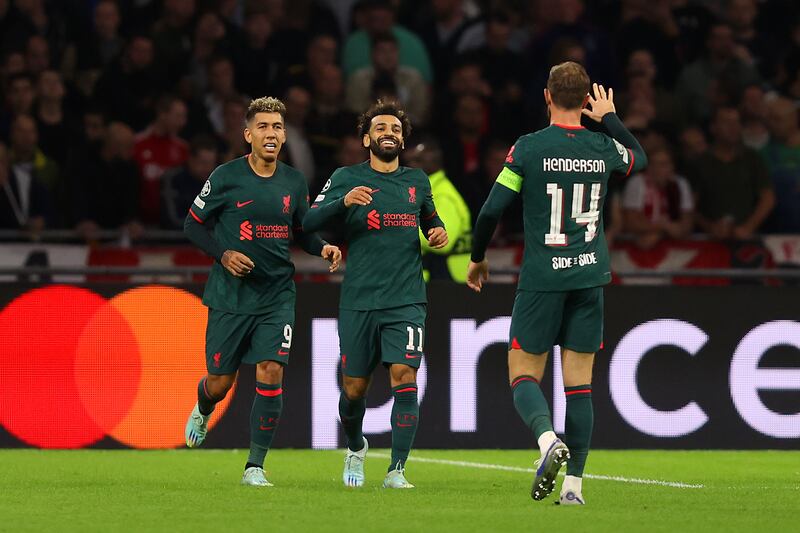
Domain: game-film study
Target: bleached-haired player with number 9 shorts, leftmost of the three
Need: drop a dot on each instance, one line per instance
(255, 203)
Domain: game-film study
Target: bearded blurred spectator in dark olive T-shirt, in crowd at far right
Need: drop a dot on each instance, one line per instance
(734, 194)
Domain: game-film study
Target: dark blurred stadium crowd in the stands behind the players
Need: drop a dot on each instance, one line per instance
(115, 112)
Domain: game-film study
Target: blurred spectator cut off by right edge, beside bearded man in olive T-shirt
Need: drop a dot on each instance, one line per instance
(782, 156)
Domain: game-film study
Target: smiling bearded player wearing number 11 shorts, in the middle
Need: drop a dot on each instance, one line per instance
(383, 303)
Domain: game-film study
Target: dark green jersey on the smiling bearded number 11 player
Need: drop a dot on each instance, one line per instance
(384, 261)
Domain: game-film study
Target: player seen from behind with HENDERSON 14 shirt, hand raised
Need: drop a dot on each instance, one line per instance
(561, 172)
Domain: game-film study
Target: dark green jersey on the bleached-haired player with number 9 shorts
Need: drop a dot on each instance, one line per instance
(255, 216)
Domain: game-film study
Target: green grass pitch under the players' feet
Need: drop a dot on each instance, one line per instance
(198, 490)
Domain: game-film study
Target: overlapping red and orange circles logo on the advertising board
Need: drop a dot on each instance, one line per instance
(76, 367)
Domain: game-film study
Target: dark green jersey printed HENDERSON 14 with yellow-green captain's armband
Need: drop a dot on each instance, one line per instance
(562, 174)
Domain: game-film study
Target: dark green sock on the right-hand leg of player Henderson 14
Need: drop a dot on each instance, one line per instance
(578, 427)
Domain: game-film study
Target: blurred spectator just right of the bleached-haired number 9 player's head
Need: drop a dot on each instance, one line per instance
(297, 151)
